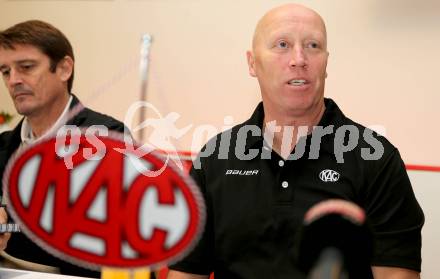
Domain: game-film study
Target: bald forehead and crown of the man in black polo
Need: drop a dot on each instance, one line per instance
(293, 22)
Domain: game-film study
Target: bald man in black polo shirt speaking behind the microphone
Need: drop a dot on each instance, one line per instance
(297, 149)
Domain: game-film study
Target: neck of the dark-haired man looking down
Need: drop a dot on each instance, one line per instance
(42, 121)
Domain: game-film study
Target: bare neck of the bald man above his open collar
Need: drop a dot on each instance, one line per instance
(286, 129)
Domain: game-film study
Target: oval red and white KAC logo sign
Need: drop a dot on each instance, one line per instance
(103, 211)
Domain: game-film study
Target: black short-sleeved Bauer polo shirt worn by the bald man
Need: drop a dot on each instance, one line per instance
(255, 206)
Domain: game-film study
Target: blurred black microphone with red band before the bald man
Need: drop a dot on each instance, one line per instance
(335, 242)
